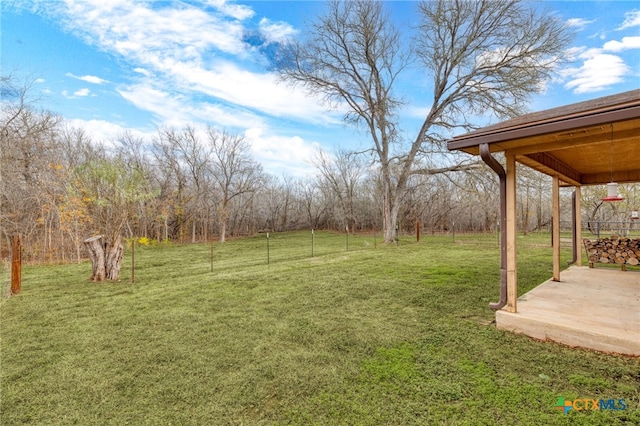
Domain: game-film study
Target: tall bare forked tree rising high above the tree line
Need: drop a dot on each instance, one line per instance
(482, 55)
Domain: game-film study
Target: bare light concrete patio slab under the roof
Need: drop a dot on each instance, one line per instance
(597, 309)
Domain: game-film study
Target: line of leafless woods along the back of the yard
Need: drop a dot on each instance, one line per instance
(58, 187)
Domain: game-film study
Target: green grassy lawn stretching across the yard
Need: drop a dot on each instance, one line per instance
(376, 335)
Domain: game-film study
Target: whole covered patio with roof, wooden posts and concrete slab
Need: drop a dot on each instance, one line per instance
(589, 143)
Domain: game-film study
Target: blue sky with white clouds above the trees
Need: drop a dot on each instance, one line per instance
(114, 65)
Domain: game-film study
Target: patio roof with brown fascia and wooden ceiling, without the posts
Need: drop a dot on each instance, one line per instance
(587, 143)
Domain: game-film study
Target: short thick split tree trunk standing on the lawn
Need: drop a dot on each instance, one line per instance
(106, 257)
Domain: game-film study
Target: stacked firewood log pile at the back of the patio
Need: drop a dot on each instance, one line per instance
(614, 250)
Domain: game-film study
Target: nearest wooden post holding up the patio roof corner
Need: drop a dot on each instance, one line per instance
(512, 282)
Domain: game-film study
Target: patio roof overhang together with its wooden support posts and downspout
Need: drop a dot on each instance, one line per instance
(587, 143)
